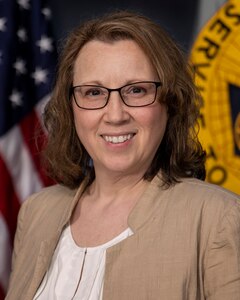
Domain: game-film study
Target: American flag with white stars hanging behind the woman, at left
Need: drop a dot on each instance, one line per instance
(27, 67)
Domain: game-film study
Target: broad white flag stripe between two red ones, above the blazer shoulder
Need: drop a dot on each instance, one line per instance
(18, 160)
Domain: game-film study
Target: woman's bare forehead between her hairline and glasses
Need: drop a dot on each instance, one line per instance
(118, 58)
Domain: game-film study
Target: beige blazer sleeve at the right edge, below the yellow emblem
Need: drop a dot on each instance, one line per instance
(222, 264)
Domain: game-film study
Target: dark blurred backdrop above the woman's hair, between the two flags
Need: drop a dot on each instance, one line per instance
(179, 17)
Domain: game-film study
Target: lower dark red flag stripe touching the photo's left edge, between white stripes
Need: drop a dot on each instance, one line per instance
(11, 205)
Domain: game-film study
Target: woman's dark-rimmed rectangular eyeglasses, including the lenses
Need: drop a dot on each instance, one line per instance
(135, 94)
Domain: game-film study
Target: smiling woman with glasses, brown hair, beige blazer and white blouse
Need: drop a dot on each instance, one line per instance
(131, 217)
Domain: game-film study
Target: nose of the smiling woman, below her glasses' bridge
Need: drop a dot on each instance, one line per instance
(116, 111)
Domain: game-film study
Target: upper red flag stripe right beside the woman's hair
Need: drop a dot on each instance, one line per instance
(34, 138)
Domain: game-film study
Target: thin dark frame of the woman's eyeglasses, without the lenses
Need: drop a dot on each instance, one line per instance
(71, 92)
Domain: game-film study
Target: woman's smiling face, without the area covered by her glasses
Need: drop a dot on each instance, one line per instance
(120, 139)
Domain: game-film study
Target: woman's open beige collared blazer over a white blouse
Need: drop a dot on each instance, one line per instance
(185, 246)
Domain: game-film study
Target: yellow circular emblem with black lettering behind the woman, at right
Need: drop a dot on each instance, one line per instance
(216, 59)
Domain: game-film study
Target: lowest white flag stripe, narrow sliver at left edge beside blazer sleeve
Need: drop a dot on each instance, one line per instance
(5, 254)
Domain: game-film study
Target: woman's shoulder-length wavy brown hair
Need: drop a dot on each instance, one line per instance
(179, 154)
